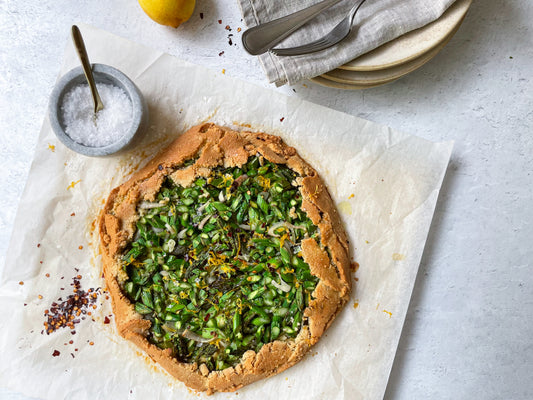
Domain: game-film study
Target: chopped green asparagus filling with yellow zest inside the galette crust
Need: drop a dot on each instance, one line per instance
(217, 267)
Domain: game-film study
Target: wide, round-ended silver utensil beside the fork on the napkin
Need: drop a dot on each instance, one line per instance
(263, 37)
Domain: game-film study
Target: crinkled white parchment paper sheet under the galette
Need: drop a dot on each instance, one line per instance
(385, 184)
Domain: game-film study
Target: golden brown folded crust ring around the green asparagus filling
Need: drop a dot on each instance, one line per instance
(214, 146)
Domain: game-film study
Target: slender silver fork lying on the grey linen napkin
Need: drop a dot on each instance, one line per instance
(338, 33)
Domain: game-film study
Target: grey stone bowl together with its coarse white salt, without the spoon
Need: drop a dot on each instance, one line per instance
(112, 129)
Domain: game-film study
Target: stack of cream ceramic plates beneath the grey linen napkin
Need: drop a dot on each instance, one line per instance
(400, 56)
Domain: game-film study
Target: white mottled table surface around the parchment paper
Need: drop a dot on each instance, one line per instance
(469, 329)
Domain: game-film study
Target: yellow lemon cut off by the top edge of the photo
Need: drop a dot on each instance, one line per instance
(168, 12)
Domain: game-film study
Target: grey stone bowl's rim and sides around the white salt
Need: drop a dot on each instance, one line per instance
(102, 74)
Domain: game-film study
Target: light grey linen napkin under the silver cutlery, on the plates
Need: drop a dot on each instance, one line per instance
(377, 22)
